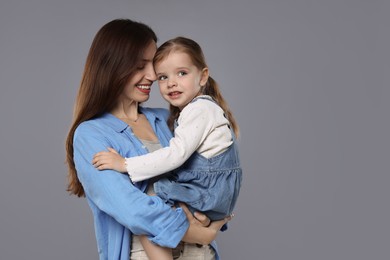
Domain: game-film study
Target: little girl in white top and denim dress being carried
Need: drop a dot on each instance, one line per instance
(203, 155)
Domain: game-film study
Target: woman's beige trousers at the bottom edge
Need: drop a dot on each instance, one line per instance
(183, 251)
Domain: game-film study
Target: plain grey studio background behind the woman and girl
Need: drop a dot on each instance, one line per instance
(308, 82)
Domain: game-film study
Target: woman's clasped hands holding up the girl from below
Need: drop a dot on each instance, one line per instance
(199, 232)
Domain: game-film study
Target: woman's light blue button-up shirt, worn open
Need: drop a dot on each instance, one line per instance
(119, 208)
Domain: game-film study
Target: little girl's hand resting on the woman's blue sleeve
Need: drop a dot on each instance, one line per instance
(109, 160)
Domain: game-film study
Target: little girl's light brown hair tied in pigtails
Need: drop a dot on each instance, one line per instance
(194, 51)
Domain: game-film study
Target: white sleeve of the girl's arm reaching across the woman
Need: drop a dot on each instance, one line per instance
(194, 125)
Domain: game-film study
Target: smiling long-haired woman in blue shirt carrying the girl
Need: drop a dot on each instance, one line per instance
(117, 77)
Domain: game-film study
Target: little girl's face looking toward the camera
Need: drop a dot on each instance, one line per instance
(179, 80)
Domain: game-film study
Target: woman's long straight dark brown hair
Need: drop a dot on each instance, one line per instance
(114, 55)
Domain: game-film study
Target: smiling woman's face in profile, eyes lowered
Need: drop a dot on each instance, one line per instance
(139, 85)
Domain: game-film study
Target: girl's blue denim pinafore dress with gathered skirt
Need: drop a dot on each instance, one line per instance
(208, 185)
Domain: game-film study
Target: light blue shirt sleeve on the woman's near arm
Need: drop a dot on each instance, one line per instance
(114, 194)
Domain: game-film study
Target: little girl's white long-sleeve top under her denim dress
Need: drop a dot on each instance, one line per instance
(202, 127)
